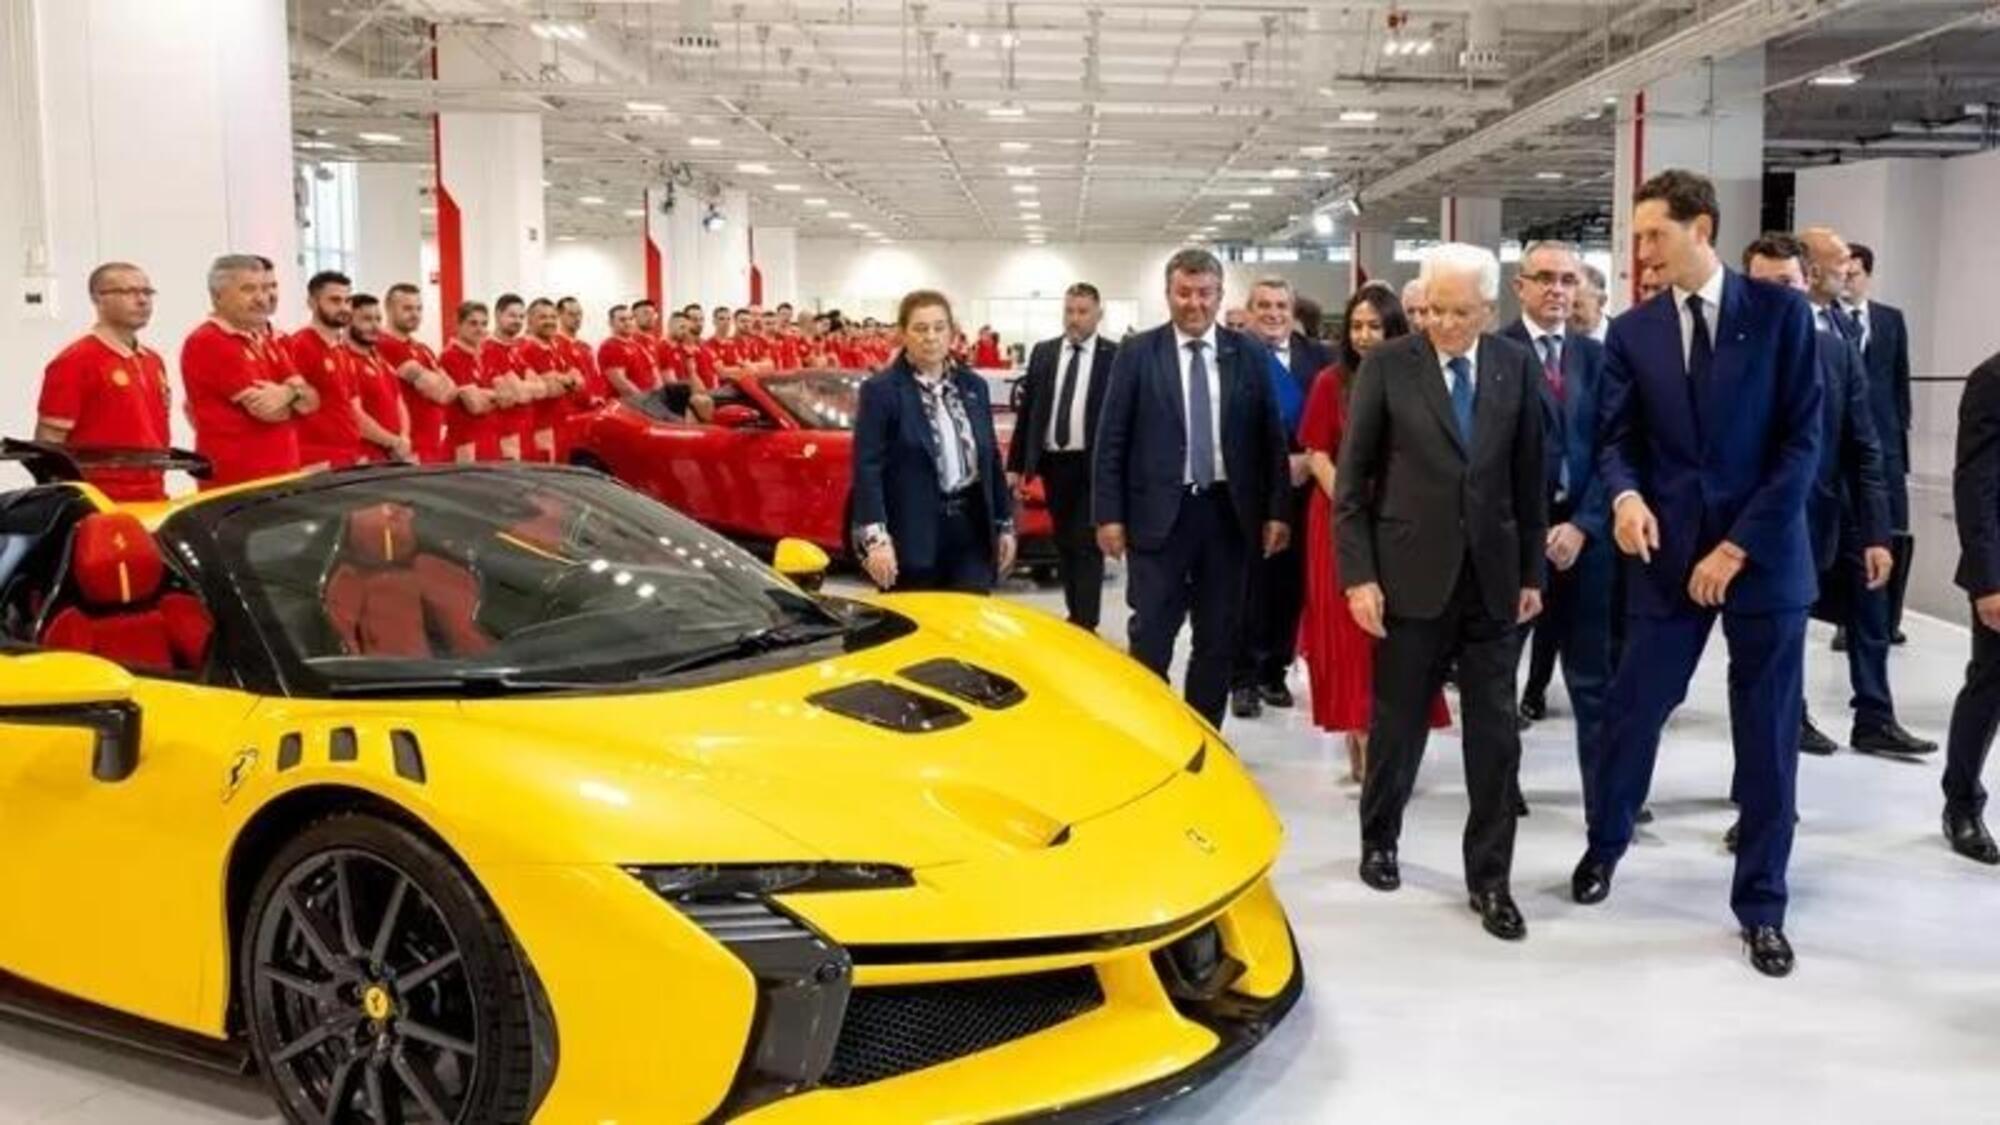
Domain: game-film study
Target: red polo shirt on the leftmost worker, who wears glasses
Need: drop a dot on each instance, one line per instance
(109, 397)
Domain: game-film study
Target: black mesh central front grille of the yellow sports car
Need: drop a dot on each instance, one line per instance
(907, 1028)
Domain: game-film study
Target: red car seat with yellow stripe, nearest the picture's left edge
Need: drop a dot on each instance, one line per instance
(119, 612)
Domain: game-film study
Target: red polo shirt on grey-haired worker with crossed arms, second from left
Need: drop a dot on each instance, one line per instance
(217, 365)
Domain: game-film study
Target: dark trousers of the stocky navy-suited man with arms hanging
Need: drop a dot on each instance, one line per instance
(1197, 574)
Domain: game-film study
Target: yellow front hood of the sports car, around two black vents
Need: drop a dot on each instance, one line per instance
(1093, 734)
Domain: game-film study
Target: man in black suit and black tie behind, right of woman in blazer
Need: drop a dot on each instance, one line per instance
(1061, 403)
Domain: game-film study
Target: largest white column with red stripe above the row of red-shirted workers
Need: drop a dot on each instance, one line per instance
(493, 235)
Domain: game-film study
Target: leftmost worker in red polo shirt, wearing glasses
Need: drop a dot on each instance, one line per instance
(107, 389)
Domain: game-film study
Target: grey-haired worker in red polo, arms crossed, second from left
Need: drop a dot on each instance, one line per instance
(243, 393)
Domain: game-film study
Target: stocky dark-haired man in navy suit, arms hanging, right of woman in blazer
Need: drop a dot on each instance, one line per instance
(1189, 473)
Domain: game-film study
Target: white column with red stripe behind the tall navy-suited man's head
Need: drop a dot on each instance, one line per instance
(1707, 119)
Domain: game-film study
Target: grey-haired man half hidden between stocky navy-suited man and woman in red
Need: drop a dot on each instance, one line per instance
(1277, 594)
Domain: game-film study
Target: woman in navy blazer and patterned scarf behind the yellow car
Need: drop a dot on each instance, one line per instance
(933, 509)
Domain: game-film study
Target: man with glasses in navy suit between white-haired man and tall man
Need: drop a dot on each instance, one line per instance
(1577, 604)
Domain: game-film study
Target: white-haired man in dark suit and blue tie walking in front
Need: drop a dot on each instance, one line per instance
(1443, 523)
